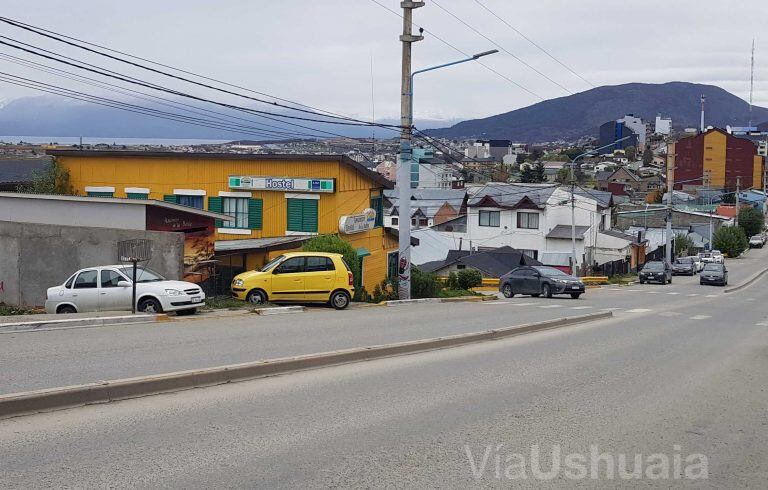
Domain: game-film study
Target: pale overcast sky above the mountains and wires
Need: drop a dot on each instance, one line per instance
(320, 52)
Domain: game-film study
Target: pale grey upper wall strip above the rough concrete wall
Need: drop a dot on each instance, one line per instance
(37, 209)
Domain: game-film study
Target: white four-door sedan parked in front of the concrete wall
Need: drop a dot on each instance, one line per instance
(109, 288)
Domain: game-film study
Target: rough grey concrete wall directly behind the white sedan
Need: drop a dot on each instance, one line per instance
(34, 257)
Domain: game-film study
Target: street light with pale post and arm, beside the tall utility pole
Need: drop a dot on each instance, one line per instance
(404, 182)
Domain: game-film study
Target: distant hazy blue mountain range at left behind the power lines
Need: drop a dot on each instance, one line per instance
(58, 117)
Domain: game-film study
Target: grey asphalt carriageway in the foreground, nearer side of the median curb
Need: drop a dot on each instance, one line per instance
(689, 376)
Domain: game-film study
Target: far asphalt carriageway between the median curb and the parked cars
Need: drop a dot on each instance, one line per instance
(55, 358)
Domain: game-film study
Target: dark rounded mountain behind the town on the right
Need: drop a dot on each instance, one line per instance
(569, 118)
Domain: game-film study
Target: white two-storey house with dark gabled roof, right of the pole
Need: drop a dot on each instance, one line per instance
(536, 218)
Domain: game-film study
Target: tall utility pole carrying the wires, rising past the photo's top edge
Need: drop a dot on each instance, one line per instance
(406, 158)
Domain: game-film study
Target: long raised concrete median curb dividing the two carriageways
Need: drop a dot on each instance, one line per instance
(16, 404)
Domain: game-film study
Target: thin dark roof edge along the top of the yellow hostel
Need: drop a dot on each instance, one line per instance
(341, 159)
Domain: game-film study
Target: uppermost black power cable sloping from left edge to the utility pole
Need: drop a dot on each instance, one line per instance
(348, 121)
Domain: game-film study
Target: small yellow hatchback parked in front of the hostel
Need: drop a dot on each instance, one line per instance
(298, 277)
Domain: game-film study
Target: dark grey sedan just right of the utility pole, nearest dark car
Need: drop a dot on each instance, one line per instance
(540, 281)
